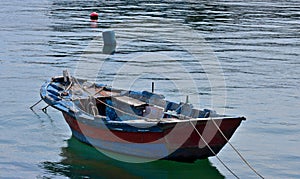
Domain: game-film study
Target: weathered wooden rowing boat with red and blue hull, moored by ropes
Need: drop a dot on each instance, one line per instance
(140, 124)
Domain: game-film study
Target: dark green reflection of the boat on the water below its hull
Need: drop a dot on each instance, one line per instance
(83, 161)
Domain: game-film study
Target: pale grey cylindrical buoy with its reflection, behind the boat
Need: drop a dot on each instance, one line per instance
(109, 41)
